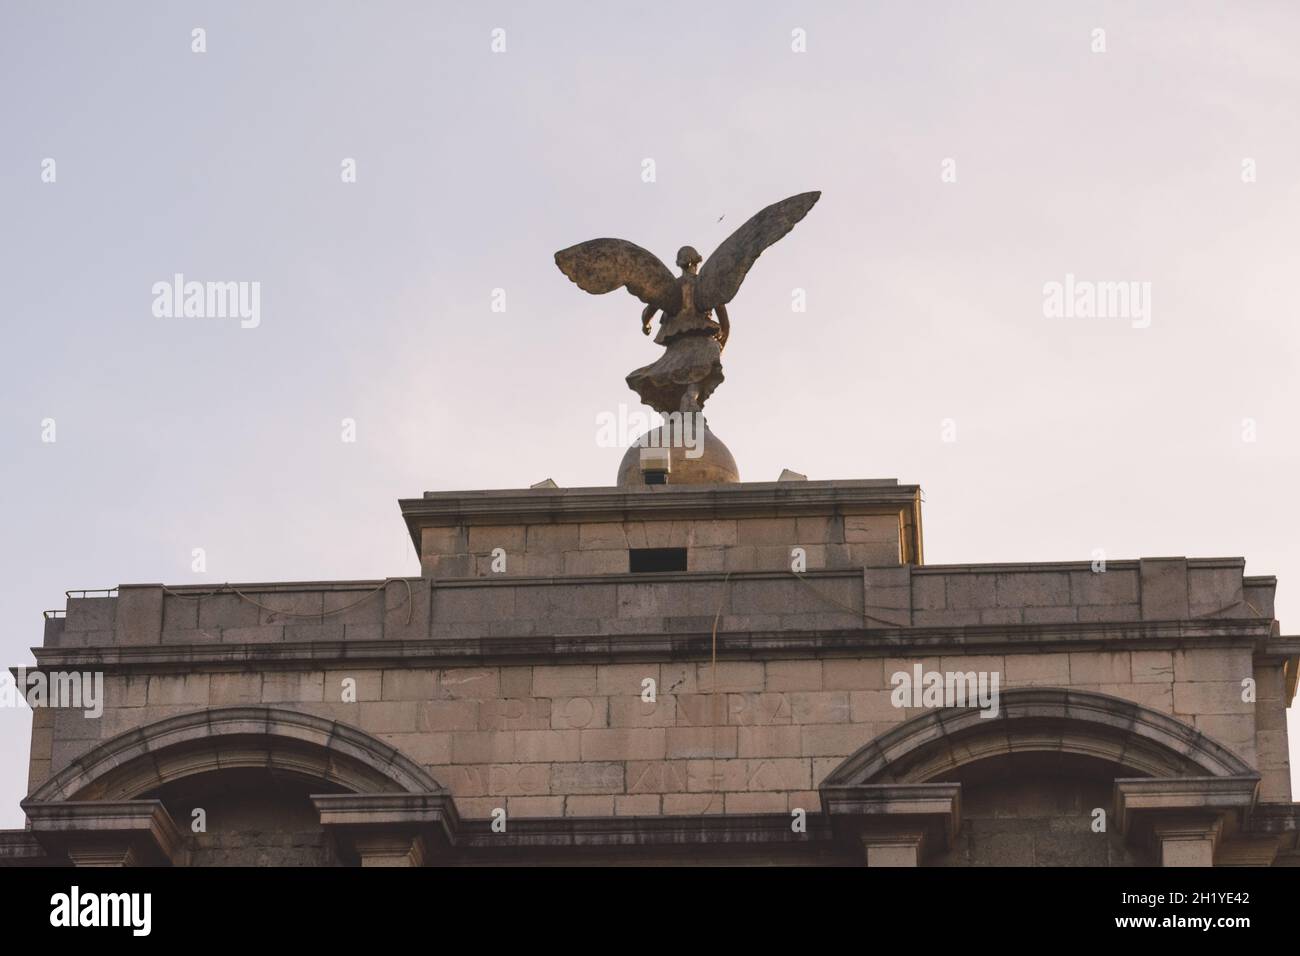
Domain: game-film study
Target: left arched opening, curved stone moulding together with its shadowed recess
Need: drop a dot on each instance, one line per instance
(236, 786)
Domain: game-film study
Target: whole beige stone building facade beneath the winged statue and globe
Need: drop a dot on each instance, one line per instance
(674, 674)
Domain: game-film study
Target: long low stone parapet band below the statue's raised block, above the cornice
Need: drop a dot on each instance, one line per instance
(506, 605)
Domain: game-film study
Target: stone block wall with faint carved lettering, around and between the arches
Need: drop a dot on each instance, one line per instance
(751, 737)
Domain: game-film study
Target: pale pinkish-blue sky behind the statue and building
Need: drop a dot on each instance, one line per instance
(925, 299)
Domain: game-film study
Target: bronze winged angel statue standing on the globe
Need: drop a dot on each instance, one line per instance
(691, 366)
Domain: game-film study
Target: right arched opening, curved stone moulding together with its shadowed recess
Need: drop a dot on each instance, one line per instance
(1038, 782)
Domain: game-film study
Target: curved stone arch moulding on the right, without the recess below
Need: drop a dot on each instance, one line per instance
(1039, 720)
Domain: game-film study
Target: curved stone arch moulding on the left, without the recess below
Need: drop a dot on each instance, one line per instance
(202, 742)
